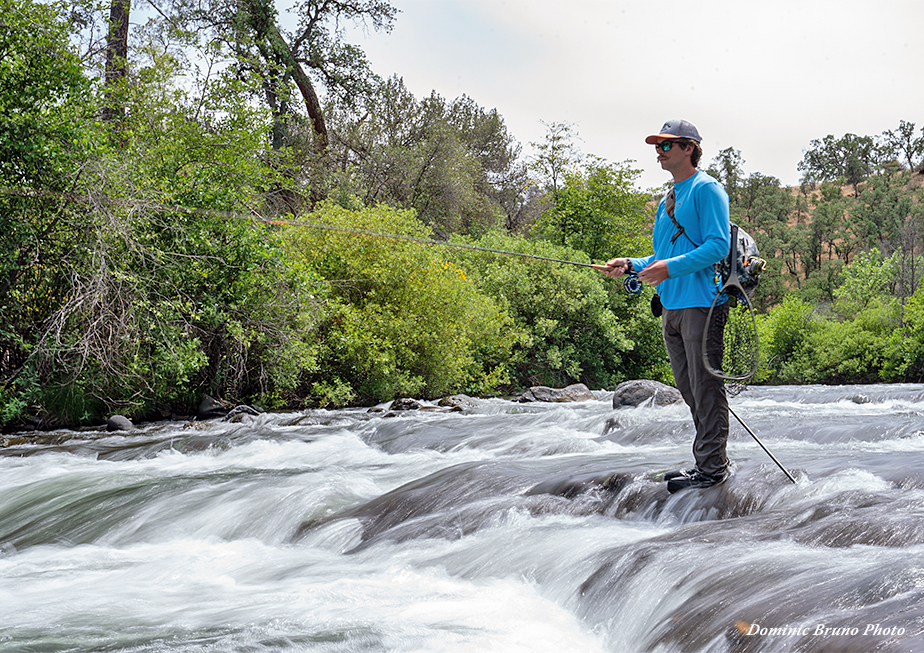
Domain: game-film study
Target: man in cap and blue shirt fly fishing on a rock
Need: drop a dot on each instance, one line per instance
(691, 233)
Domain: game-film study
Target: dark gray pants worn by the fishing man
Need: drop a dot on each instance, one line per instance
(702, 392)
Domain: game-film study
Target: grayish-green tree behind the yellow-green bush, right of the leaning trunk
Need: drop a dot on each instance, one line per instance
(454, 162)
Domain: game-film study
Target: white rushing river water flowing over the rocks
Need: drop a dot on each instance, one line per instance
(506, 527)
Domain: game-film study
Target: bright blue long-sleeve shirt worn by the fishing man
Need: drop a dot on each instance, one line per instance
(702, 209)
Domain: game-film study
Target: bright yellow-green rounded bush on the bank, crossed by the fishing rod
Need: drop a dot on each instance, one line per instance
(406, 320)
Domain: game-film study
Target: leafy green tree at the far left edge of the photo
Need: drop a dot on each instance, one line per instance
(45, 143)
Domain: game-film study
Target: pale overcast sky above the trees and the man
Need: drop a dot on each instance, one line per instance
(763, 77)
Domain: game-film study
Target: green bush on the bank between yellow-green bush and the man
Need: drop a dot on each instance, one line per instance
(573, 325)
